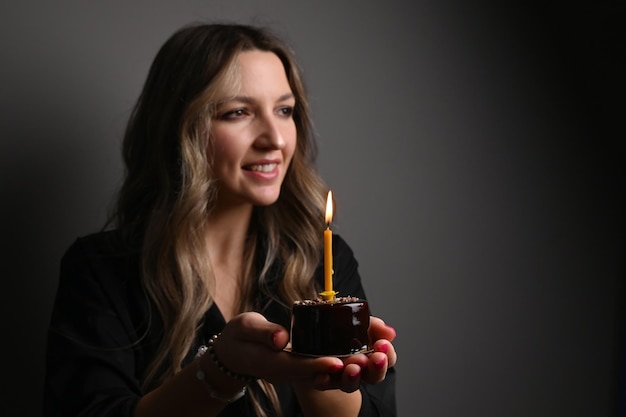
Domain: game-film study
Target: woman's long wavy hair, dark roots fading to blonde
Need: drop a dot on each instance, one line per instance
(169, 187)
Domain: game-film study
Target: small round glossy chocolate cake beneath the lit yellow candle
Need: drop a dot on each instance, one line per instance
(330, 327)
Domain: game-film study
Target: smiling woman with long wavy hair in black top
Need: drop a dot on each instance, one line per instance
(217, 231)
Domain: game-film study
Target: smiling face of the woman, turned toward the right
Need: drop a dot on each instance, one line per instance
(253, 133)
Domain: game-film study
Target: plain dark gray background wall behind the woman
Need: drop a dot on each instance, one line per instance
(474, 151)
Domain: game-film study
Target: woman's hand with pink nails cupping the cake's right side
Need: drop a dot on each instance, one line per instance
(370, 368)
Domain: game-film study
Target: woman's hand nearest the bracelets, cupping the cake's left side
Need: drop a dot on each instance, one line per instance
(251, 345)
